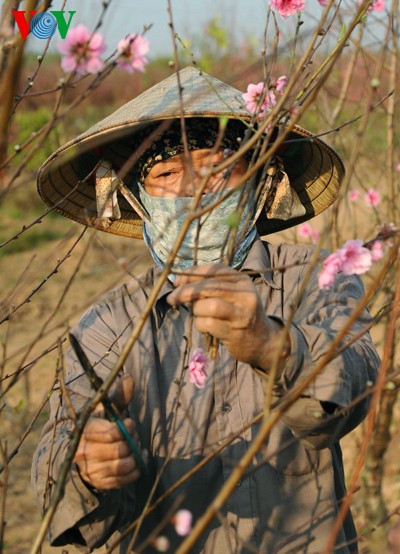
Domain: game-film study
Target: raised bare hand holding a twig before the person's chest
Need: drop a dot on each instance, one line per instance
(225, 304)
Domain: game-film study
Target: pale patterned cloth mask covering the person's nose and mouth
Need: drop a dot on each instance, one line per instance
(208, 239)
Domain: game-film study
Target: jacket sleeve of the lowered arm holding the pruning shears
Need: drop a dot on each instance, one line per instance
(83, 517)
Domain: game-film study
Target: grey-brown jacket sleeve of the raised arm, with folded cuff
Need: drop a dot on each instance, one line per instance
(322, 414)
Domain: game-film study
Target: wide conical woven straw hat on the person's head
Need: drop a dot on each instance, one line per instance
(66, 181)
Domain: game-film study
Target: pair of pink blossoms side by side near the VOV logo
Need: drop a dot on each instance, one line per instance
(82, 51)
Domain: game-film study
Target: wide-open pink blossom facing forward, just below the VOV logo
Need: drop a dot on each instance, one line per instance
(82, 50)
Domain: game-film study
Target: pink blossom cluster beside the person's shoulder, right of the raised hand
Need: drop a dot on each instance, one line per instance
(354, 258)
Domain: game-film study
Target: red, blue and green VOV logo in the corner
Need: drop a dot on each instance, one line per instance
(44, 24)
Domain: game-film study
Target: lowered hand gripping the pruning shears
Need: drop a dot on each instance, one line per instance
(103, 457)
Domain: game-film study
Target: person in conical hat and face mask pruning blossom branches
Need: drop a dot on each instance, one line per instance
(177, 149)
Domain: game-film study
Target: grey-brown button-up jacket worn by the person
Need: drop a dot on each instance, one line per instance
(288, 499)
